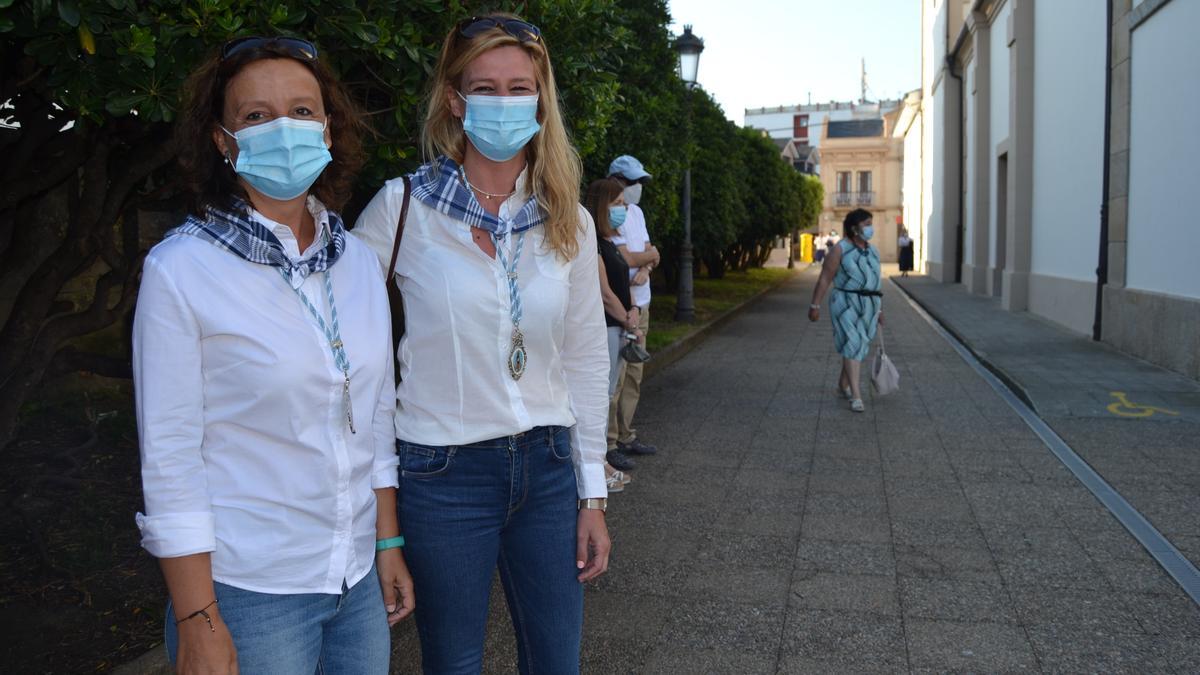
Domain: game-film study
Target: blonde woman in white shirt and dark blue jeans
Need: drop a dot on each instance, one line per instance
(503, 365)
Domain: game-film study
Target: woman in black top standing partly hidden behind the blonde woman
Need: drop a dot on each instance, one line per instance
(607, 204)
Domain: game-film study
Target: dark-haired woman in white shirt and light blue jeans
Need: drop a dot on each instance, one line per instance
(263, 389)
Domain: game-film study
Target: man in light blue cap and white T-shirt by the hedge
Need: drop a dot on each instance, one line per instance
(634, 243)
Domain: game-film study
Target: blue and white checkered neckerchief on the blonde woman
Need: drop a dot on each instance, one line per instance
(437, 186)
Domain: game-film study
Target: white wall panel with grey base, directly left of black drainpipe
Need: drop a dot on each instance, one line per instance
(1069, 160)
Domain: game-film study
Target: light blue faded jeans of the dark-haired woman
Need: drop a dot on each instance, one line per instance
(303, 634)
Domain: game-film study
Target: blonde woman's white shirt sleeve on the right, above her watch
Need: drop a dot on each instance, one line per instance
(586, 367)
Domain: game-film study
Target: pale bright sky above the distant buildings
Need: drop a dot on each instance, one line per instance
(766, 53)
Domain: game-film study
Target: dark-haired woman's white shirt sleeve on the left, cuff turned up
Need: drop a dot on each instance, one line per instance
(170, 398)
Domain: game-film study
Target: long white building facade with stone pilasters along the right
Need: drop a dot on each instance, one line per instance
(1055, 140)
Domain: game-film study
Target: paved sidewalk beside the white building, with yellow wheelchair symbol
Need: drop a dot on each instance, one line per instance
(1135, 423)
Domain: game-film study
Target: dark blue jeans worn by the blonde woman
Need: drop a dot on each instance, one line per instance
(466, 510)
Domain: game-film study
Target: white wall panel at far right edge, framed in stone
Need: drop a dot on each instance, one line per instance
(1165, 145)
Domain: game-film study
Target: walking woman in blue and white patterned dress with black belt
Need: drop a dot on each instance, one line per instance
(853, 268)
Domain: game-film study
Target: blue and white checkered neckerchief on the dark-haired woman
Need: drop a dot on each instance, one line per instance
(243, 236)
